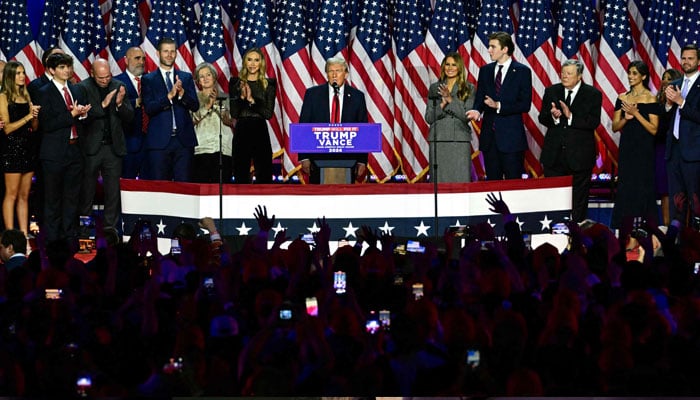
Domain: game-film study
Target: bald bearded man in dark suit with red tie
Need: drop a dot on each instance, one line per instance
(134, 131)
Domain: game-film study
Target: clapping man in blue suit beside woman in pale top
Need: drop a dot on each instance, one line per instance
(168, 97)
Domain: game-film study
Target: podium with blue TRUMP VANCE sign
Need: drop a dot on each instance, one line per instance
(335, 148)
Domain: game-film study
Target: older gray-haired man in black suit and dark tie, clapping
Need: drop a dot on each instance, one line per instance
(571, 113)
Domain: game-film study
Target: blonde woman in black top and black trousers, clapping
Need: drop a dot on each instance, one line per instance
(252, 103)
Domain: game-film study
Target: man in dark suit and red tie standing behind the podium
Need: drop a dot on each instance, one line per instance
(334, 102)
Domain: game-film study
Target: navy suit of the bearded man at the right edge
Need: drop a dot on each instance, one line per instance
(683, 154)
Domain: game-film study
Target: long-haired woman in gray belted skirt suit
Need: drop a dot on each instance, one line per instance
(450, 132)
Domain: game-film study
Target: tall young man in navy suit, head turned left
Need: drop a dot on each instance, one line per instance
(503, 94)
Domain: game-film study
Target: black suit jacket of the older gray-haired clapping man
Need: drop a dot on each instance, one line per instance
(577, 140)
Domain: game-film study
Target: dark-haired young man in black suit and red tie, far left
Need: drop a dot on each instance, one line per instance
(62, 105)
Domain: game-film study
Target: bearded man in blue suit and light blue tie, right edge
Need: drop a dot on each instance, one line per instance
(683, 139)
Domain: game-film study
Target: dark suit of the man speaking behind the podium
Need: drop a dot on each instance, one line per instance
(317, 109)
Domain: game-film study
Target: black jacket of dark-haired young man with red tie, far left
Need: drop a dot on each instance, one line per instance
(55, 121)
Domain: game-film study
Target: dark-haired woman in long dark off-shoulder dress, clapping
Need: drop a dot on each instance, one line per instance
(636, 118)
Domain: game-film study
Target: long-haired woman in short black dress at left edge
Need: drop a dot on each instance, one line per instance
(18, 158)
